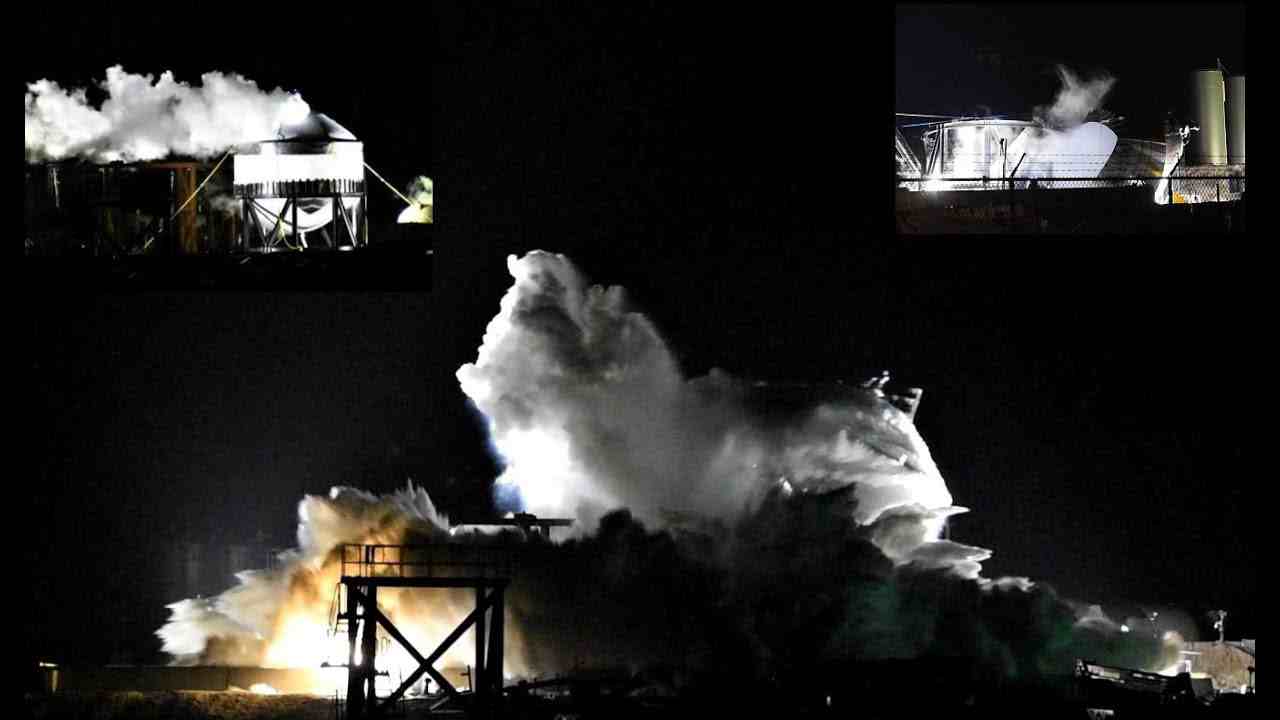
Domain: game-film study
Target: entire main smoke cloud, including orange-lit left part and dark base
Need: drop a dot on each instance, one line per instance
(724, 528)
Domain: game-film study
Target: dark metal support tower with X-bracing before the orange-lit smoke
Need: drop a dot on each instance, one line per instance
(365, 568)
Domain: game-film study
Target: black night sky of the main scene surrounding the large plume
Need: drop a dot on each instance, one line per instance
(1076, 393)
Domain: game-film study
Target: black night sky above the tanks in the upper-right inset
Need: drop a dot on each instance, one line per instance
(1148, 48)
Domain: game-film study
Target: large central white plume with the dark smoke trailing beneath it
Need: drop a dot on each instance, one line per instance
(824, 514)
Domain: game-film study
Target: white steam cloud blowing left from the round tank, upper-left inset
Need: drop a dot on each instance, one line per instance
(148, 119)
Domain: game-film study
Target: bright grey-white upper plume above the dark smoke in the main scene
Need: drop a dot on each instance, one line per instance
(591, 413)
